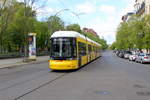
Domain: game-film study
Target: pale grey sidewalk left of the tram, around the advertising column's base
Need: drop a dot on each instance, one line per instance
(7, 63)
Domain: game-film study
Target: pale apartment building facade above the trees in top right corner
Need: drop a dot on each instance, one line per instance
(142, 7)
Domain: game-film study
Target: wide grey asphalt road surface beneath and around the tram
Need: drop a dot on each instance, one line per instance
(107, 78)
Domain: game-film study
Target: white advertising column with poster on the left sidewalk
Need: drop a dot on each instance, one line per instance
(32, 46)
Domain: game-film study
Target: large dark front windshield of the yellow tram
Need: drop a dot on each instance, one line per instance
(62, 47)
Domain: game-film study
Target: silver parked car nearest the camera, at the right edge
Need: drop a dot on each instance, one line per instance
(143, 58)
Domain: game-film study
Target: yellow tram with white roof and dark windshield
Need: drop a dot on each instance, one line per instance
(71, 50)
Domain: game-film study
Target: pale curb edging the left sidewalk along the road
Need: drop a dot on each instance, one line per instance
(22, 64)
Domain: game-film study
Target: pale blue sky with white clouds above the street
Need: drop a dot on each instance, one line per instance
(103, 16)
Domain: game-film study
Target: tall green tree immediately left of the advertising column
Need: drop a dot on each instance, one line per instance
(21, 25)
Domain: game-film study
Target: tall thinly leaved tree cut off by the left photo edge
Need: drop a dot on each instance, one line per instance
(6, 11)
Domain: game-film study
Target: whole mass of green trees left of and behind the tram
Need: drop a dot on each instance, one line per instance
(18, 19)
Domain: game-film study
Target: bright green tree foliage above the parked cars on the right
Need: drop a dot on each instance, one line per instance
(134, 34)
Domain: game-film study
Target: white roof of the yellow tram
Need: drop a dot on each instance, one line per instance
(71, 34)
